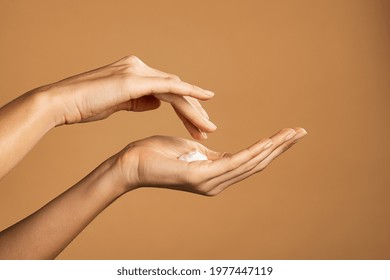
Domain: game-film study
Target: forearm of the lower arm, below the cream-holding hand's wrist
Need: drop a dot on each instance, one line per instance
(44, 234)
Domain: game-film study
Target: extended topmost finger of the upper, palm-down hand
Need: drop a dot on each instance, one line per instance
(152, 85)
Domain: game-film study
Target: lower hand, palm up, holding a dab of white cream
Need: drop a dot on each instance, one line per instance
(153, 162)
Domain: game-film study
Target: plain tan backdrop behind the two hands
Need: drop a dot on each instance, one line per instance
(323, 65)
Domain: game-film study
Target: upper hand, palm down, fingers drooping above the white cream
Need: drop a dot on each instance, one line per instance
(129, 84)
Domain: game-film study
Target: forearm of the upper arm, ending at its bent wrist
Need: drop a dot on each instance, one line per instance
(23, 122)
